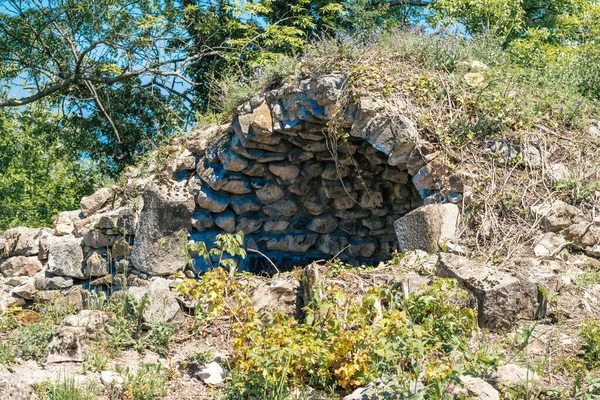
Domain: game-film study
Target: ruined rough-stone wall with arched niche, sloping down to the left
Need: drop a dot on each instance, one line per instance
(303, 177)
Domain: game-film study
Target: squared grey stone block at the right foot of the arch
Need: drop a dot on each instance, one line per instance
(426, 227)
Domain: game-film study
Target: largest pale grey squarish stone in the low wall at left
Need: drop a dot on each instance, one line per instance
(65, 257)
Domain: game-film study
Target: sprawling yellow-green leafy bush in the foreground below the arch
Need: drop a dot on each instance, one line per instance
(349, 341)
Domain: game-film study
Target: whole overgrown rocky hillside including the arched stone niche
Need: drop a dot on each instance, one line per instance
(398, 217)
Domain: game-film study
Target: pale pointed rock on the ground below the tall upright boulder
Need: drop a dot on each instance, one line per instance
(162, 303)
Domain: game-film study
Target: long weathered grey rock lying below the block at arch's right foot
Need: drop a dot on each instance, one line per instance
(501, 298)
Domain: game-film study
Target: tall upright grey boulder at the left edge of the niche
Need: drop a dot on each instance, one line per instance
(164, 221)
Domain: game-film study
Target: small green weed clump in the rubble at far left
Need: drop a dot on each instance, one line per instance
(31, 341)
